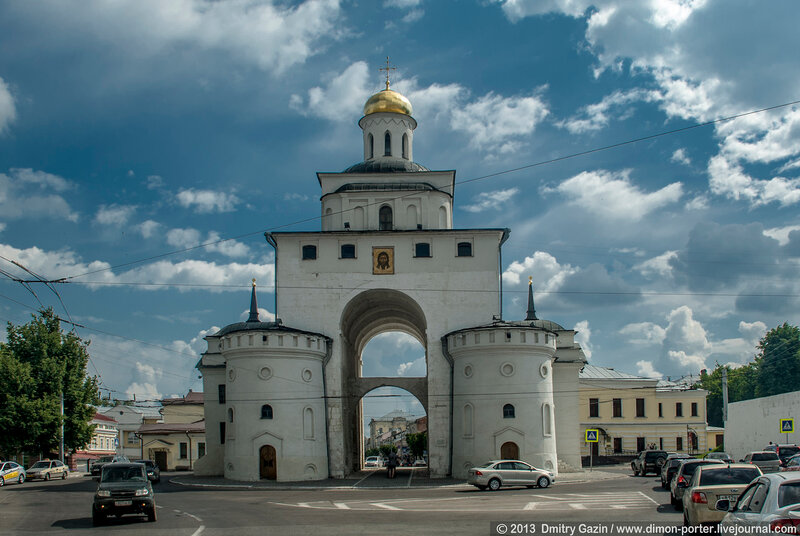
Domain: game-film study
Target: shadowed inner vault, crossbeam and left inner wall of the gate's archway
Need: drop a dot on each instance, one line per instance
(368, 314)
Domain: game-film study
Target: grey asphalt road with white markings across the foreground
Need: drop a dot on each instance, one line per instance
(64, 507)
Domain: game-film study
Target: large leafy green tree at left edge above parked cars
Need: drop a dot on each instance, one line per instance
(37, 364)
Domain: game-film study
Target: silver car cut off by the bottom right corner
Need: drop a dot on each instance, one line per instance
(772, 501)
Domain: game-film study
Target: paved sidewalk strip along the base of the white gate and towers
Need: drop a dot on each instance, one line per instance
(406, 478)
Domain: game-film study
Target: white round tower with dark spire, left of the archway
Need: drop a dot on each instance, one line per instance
(267, 418)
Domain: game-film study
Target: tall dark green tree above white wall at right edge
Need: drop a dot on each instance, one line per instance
(778, 361)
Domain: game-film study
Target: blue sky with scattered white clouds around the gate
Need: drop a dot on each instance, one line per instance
(133, 130)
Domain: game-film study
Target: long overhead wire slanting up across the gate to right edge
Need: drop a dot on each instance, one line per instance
(465, 181)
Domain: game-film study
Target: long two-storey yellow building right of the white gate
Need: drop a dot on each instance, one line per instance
(634, 413)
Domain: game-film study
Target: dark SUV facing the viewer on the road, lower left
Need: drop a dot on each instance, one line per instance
(123, 489)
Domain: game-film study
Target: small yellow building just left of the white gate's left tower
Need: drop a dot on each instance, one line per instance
(178, 442)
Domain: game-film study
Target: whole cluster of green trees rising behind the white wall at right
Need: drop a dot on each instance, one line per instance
(774, 370)
